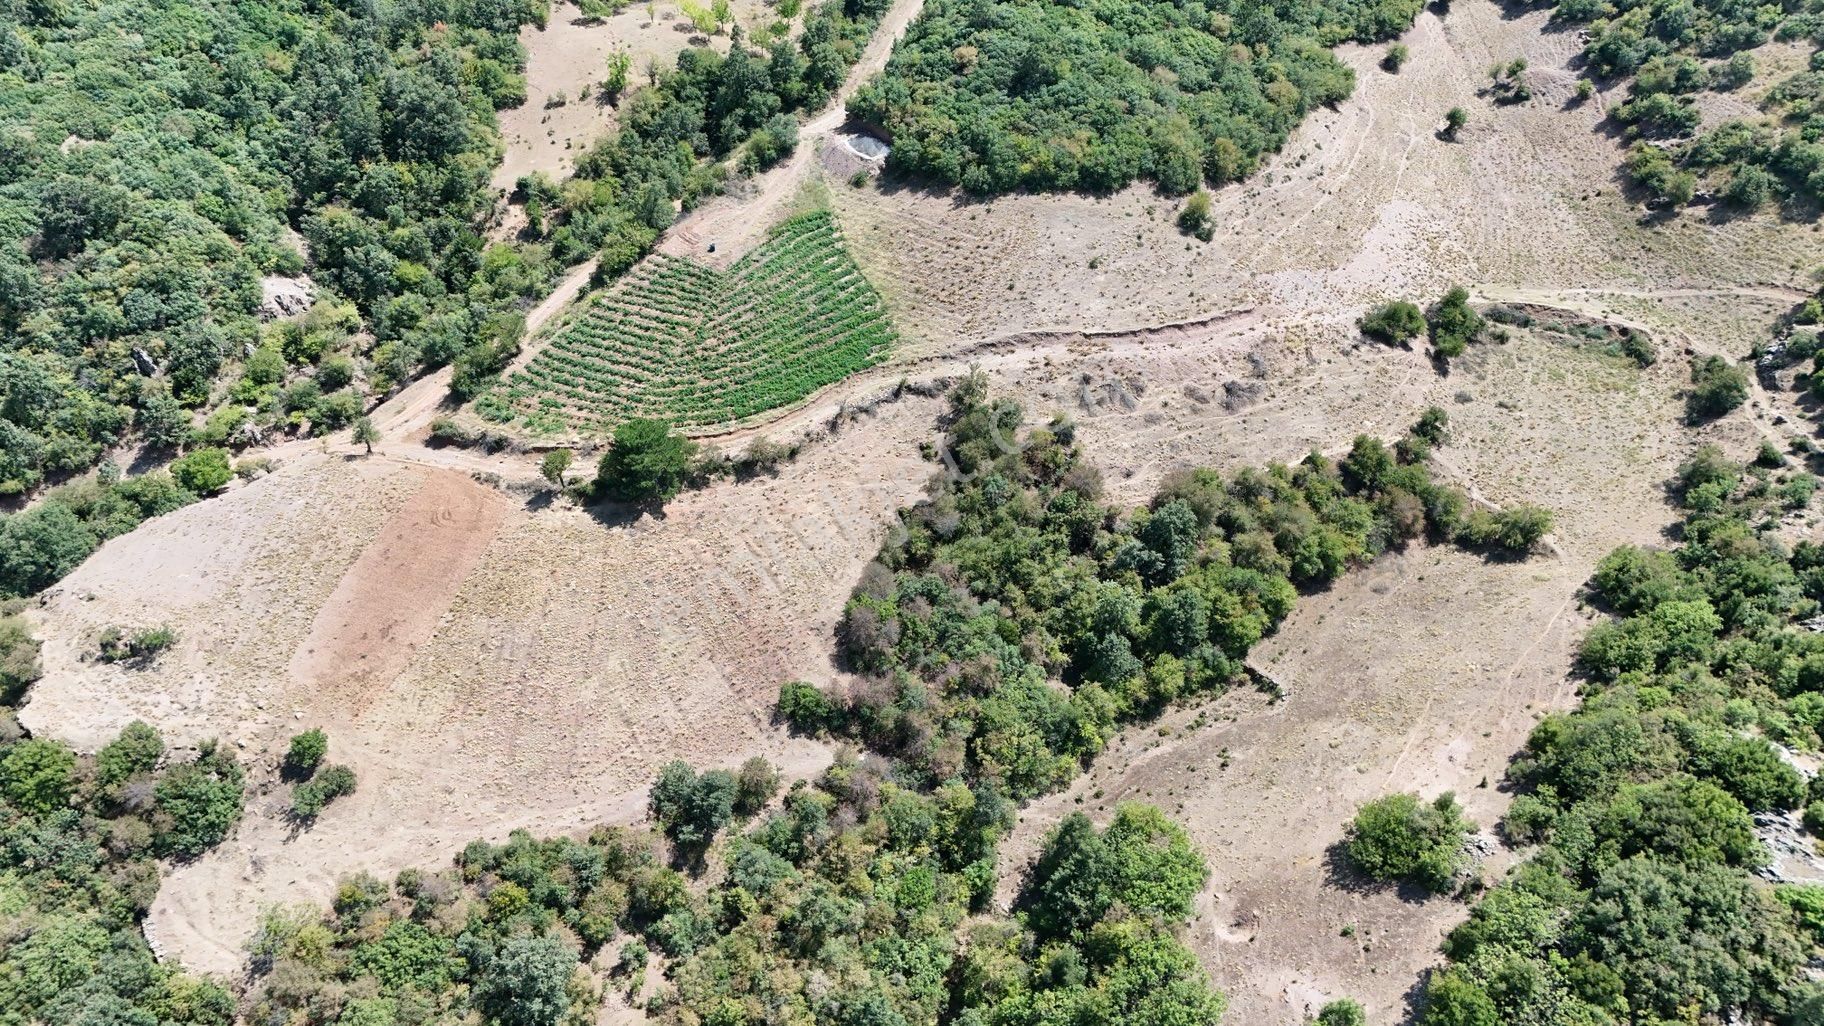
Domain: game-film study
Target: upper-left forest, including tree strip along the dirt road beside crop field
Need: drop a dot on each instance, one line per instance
(346, 143)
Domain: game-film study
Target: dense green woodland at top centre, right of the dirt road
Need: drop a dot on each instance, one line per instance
(997, 96)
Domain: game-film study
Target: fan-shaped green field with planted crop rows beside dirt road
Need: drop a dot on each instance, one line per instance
(705, 348)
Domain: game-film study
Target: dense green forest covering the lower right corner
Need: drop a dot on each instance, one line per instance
(1639, 905)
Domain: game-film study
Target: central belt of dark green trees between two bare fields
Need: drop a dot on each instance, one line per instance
(1132, 609)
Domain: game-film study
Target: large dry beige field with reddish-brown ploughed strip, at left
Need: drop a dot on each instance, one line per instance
(481, 664)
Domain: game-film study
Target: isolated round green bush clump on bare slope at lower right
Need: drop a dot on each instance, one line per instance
(1402, 839)
